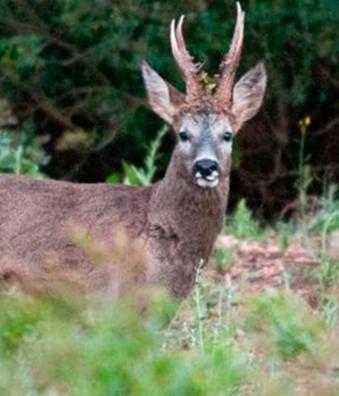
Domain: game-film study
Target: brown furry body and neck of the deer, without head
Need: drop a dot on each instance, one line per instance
(176, 221)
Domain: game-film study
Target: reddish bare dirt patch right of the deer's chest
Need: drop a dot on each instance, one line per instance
(263, 264)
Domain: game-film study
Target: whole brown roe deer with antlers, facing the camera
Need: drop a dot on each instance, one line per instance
(177, 219)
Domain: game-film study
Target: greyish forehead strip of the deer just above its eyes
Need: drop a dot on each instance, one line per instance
(199, 123)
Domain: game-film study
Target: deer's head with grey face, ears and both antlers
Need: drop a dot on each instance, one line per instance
(206, 122)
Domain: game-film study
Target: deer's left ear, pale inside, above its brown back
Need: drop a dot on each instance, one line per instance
(162, 96)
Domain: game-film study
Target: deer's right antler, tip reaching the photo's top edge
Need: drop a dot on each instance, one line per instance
(230, 63)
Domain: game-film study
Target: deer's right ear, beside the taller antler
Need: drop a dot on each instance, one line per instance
(248, 94)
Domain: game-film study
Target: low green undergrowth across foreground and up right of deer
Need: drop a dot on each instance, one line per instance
(224, 340)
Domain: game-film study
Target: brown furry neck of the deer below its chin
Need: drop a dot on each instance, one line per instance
(192, 213)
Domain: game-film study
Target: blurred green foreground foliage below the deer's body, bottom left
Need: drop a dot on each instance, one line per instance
(98, 352)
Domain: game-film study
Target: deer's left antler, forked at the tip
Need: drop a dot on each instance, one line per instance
(190, 70)
